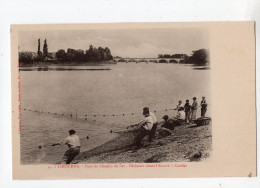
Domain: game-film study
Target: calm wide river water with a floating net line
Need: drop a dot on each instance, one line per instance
(94, 102)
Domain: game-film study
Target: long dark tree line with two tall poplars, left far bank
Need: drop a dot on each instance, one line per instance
(71, 55)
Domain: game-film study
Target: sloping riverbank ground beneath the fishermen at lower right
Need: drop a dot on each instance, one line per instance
(186, 143)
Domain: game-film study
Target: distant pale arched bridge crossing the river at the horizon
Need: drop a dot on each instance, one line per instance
(148, 60)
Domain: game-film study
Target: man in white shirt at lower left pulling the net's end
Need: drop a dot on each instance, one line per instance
(74, 146)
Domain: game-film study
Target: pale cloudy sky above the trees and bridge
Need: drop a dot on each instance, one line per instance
(122, 42)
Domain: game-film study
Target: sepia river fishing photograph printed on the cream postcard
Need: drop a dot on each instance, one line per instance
(115, 95)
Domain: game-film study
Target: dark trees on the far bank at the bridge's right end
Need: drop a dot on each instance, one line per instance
(198, 57)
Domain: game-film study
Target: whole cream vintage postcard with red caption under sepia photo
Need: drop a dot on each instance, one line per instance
(133, 100)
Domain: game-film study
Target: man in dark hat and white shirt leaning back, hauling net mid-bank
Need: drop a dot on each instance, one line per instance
(149, 125)
